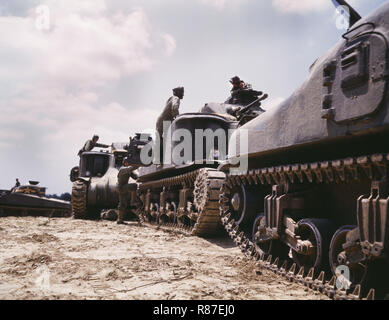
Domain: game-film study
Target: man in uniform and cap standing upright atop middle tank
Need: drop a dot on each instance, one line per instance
(170, 112)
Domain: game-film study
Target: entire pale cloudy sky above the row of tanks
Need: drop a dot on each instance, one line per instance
(108, 67)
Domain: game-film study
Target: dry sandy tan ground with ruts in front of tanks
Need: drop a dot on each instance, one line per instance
(62, 258)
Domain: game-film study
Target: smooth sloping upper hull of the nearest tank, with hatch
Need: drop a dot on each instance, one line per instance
(345, 96)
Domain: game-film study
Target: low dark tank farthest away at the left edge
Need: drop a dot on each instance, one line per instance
(31, 200)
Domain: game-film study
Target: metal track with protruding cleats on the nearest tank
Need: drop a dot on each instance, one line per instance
(318, 172)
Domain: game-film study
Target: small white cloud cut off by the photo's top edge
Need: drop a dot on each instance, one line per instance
(301, 7)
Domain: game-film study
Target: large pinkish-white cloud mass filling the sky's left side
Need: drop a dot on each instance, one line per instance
(56, 79)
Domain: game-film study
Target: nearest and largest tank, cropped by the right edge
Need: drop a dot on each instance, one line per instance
(316, 184)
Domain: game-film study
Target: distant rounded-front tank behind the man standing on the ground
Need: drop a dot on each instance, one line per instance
(95, 181)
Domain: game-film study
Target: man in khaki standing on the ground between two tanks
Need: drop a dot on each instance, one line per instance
(125, 189)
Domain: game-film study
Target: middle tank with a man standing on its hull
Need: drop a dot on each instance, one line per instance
(184, 189)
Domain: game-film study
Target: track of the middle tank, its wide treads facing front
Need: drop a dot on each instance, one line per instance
(204, 213)
